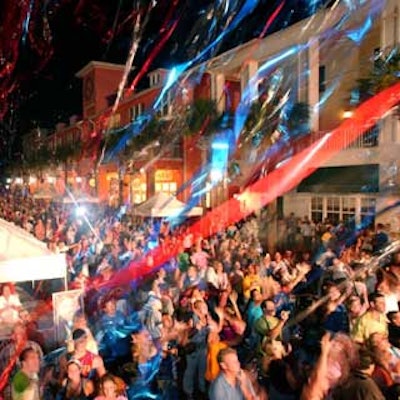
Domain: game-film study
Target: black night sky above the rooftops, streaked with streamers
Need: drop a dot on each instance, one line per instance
(43, 43)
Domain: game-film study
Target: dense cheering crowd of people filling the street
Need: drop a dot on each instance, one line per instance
(222, 318)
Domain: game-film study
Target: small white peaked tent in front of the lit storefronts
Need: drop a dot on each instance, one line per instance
(163, 205)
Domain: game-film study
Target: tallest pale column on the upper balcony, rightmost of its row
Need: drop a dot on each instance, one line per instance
(313, 82)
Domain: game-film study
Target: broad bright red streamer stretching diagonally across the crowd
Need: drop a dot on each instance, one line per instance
(277, 182)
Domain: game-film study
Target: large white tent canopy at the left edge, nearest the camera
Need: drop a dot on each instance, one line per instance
(24, 258)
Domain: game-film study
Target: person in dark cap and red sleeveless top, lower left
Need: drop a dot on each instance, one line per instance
(91, 364)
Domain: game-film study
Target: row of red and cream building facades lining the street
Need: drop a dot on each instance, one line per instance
(320, 64)
